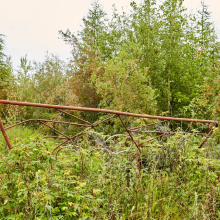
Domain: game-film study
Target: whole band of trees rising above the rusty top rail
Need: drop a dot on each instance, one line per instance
(157, 58)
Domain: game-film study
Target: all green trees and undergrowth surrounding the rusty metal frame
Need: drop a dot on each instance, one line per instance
(156, 59)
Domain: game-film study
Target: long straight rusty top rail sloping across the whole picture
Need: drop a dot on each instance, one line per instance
(105, 111)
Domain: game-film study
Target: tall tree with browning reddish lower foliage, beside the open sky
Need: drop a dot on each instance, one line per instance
(85, 48)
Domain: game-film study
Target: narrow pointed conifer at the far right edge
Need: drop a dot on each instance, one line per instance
(206, 103)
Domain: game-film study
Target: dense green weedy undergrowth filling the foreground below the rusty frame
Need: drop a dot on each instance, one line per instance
(177, 181)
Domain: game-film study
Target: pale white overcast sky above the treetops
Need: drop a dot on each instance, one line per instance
(31, 26)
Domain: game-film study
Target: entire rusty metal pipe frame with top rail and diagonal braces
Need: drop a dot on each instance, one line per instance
(88, 125)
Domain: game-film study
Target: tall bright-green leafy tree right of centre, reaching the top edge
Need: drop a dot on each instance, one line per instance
(179, 80)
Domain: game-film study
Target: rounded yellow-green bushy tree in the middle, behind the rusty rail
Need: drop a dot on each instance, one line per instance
(123, 86)
